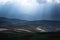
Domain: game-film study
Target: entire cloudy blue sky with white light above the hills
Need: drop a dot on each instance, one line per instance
(30, 9)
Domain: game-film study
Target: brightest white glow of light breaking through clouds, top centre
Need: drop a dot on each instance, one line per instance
(28, 6)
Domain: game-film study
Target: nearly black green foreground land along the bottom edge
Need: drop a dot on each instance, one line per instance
(30, 36)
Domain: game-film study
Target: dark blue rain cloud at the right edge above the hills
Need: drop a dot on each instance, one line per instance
(56, 12)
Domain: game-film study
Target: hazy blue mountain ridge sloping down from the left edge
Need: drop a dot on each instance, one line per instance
(11, 21)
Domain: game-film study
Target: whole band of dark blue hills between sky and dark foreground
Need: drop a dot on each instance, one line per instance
(48, 25)
